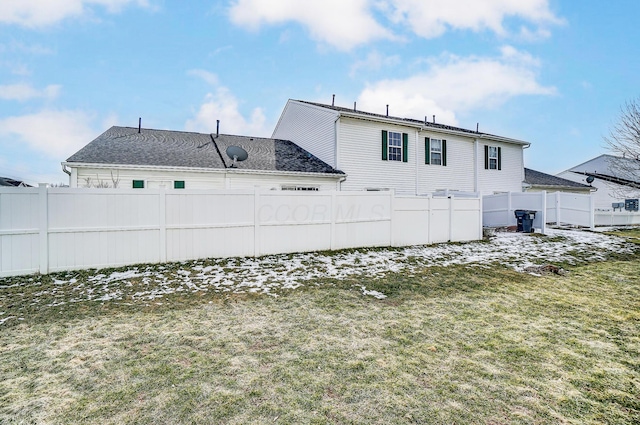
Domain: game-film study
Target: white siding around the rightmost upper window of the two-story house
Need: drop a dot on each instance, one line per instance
(510, 178)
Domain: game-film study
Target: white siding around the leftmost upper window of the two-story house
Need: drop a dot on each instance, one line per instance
(360, 157)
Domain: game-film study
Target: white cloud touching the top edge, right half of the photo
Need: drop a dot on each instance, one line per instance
(431, 18)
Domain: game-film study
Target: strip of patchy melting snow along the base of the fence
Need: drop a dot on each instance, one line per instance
(268, 275)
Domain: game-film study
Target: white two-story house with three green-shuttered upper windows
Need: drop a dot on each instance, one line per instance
(413, 157)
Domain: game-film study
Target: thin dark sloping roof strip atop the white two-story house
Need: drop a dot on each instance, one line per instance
(423, 124)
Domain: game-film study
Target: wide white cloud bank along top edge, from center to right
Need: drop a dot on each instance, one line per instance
(346, 24)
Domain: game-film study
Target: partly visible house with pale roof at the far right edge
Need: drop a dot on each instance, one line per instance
(614, 184)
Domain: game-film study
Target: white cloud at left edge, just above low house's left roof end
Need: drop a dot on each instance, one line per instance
(58, 134)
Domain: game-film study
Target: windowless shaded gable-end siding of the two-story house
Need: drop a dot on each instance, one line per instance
(310, 127)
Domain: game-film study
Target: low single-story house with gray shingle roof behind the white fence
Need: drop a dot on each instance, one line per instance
(126, 157)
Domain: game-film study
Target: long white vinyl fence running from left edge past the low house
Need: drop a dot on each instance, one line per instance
(51, 229)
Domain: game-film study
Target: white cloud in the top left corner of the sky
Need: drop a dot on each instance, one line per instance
(38, 13)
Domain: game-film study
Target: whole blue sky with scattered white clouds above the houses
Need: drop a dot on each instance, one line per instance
(550, 72)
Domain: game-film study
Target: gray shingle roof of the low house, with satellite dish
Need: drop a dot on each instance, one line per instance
(164, 148)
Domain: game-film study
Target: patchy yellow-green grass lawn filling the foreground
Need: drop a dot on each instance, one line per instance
(455, 344)
